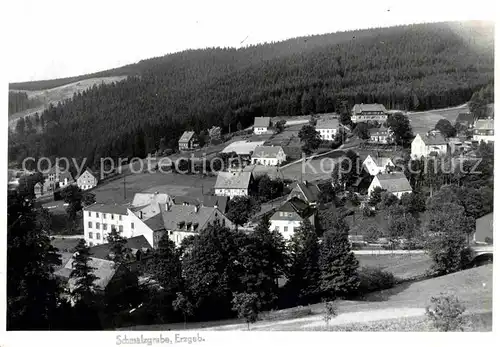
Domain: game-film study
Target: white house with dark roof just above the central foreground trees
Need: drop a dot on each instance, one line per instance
(288, 217)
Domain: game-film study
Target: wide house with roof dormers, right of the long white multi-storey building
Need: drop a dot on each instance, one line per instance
(181, 221)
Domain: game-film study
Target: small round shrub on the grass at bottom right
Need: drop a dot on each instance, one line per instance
(445, 312)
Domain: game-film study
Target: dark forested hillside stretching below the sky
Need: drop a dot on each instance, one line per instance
(415, 67)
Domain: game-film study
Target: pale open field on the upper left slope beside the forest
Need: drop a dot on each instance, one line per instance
(57, 94)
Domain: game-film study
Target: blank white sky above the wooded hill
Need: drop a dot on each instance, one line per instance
(53, 38)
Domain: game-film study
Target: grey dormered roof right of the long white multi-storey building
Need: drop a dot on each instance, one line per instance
(197, 216)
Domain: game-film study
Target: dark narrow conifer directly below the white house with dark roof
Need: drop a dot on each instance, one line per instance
(304, 274)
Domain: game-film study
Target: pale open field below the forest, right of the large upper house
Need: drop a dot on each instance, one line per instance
(421, 122)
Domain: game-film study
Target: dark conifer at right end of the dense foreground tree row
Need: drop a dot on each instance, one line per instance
(339, 266)
